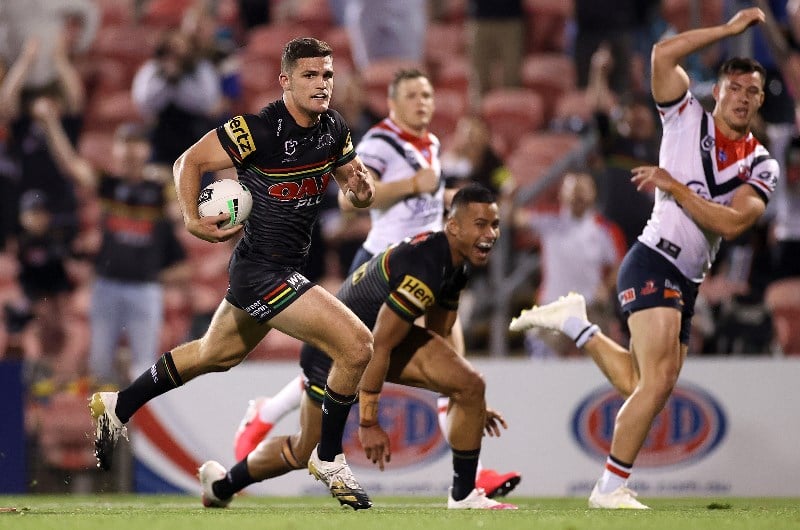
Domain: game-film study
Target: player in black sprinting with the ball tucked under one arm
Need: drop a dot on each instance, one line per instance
(286, 155)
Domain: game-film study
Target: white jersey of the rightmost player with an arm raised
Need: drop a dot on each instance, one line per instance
(699, 156)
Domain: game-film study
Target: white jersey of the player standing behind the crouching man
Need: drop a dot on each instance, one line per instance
(392, 154)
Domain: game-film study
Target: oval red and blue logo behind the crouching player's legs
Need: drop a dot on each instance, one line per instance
(408, 415)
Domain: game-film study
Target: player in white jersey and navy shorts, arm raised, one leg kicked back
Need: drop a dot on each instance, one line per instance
(713, 182)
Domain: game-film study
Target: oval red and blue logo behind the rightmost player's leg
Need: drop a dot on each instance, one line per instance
(691, 425)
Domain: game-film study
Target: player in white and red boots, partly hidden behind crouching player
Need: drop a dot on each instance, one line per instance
(402, 156)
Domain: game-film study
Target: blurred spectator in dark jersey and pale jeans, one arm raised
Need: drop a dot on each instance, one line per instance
(138, 251)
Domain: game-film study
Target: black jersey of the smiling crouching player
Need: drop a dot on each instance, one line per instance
(409, 277)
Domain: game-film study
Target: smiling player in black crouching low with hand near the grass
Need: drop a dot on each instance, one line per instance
(418, 277)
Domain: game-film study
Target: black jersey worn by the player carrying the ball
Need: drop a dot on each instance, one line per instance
(287, 169)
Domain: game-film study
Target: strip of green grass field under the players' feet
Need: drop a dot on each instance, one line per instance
(123, 512)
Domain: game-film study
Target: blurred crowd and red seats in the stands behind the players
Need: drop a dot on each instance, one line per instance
(99, 97)
